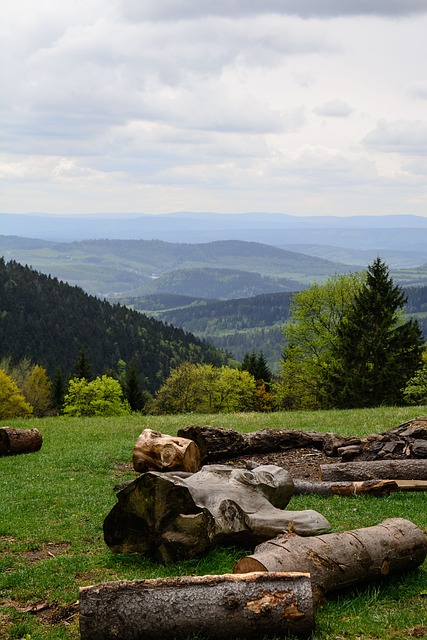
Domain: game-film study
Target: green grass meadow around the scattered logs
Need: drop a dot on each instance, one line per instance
(53, 503)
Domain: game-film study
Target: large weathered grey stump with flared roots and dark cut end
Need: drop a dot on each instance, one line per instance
(171, 516)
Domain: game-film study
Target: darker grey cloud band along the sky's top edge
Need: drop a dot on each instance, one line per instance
(193, 9)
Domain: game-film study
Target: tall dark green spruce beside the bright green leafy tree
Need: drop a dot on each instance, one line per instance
(375, 352)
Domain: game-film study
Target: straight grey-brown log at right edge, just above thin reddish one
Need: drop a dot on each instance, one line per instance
(381, 469)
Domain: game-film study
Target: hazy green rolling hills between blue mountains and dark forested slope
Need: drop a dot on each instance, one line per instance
(222, 269)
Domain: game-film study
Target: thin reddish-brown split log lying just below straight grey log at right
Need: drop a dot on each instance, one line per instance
(375, 487)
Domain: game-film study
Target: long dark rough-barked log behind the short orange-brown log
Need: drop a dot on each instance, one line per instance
(218, 444)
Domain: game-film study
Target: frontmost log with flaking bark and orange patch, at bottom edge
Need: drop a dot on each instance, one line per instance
(217, 607)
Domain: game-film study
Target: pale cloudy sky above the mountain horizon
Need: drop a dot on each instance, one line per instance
(304, 107)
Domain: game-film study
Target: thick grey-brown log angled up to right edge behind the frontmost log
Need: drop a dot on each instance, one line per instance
(339, 560)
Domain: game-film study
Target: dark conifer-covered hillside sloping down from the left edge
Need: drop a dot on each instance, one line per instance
(50, 322)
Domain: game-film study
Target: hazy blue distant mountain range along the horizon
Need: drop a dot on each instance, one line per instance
(357, 240)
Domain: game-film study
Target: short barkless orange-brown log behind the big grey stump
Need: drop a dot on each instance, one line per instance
(155, 451)
